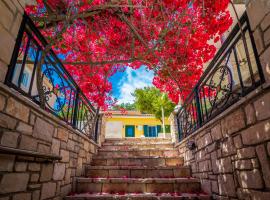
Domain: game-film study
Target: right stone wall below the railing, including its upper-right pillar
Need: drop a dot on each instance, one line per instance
(233, 150)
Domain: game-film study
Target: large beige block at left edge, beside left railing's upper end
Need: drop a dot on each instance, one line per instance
(7, 41)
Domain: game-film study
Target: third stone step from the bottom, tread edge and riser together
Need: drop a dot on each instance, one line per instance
(137, 172)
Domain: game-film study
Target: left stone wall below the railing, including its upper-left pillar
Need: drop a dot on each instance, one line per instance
(24, 126)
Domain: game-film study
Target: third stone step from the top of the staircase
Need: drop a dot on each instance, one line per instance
(130, 153)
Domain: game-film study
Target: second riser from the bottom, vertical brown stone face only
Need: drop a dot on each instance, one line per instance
(139, 173)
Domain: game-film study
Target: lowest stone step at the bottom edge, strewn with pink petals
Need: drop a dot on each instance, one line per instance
(138, 196)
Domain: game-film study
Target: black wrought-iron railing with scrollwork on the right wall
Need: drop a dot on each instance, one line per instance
(233, 73)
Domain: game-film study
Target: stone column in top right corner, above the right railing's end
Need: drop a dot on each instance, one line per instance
(259, 17)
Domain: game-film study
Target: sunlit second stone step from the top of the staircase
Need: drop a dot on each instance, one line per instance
(113, 147)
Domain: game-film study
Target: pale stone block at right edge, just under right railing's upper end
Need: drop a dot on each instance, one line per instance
(262, 107)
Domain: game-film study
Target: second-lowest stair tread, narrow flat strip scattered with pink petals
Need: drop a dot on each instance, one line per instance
(137, 180)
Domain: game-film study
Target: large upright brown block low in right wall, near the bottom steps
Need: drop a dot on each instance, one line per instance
(226, 185)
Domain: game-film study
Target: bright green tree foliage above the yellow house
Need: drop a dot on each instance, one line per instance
(150, 100)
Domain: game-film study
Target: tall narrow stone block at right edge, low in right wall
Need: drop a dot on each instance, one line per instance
(264, 160)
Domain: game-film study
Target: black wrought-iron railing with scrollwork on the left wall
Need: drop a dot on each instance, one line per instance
(62, 96)
